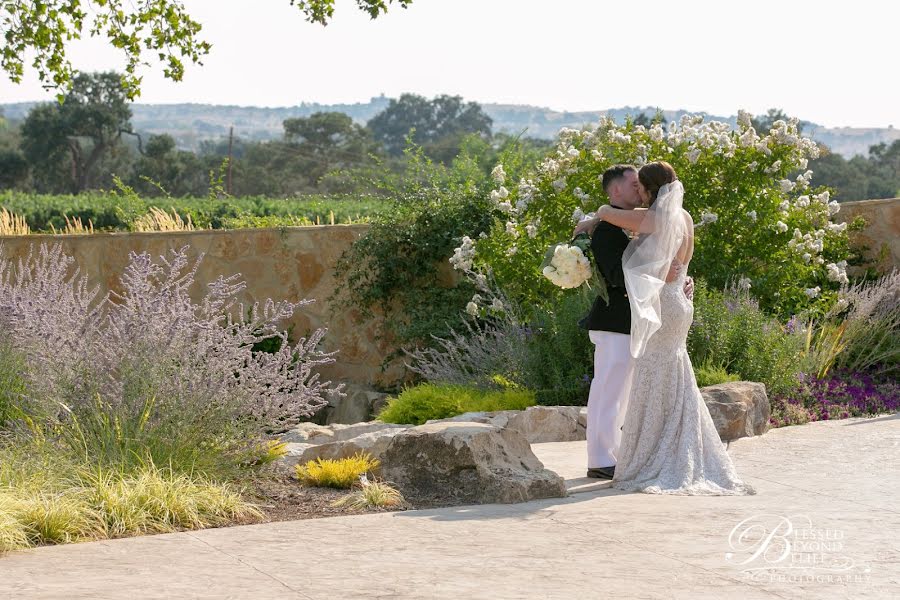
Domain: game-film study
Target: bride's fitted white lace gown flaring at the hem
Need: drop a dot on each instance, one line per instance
(669, 441)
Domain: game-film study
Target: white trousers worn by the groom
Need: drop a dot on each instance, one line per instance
(608, 399)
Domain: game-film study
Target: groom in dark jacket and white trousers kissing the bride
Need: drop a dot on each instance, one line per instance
(609, 327)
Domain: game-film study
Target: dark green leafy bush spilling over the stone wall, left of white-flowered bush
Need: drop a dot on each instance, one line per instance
(400, 269)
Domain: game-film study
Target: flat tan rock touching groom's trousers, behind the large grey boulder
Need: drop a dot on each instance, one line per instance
(538, 423)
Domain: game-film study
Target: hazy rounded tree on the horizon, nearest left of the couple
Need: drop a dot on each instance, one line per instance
(432, 120)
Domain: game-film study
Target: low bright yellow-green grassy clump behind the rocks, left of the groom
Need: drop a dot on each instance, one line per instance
(430, 401)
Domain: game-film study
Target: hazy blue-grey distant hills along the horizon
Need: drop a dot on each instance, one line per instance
(190, 124)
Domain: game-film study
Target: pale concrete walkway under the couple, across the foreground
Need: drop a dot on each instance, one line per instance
(835, 483)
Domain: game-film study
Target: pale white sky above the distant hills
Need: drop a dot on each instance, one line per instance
(830, 62)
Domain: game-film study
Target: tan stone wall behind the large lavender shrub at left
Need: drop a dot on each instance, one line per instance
(283, 264)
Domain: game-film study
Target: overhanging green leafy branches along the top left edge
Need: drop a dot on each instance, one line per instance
(158, 28)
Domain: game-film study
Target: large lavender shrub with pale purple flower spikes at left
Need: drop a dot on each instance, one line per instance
(147, 373)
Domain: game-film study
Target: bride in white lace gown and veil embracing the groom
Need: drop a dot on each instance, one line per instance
(669, 442)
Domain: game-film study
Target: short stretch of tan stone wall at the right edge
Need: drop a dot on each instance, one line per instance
(881, 237)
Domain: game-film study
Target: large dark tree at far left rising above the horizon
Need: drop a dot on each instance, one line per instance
(86, 127)
